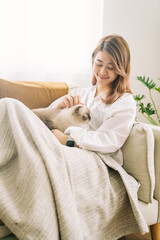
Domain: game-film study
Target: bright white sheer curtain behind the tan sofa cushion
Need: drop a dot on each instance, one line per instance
(49, 40)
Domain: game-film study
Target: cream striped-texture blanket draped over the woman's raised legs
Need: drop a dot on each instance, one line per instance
(51, 192)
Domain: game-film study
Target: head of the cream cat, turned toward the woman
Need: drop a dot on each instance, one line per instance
(80, 114)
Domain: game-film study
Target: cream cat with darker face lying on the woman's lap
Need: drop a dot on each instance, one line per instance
(62, 118)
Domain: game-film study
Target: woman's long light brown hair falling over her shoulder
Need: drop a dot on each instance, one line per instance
(119, 51)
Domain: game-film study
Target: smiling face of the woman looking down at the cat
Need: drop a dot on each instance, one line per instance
(103, 69)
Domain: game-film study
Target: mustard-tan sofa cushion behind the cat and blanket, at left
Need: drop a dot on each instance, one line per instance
(33, 94)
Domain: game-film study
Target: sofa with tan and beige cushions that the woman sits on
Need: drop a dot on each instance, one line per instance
(141, 151)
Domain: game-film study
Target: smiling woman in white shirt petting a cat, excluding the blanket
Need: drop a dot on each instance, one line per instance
(111, 103)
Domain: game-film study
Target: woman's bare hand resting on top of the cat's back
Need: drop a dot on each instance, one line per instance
(69, 101)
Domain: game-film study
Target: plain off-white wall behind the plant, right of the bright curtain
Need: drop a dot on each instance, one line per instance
(138, 21)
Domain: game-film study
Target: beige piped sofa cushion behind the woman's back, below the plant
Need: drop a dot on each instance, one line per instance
(138, 154)
